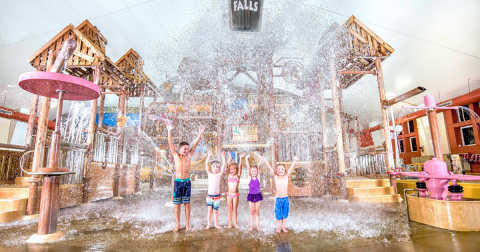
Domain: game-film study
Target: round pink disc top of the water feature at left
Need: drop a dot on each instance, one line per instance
(48, 84)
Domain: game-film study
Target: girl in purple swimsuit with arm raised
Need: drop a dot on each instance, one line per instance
(254, 195)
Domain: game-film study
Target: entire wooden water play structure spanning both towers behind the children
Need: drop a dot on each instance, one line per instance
(260, 118)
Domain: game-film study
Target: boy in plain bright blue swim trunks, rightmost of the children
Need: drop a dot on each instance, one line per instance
(282, 205)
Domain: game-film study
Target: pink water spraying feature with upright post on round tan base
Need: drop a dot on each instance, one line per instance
(434, 180)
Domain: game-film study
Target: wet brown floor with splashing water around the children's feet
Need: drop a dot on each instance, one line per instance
(144, 223)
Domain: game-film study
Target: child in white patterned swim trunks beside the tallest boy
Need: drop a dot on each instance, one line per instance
(213, 196)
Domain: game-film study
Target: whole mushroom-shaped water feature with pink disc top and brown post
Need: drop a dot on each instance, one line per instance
(62, 87)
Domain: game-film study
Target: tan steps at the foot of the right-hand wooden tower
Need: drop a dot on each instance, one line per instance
(371, 191)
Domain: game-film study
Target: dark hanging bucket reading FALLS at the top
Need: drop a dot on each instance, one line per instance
(246, 15)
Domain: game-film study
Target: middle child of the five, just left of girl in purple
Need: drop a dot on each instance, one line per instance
(232, 194)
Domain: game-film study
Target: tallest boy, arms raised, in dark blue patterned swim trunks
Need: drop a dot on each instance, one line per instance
(181, 185)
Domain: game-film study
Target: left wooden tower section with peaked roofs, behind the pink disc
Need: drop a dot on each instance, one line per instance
(99, 157)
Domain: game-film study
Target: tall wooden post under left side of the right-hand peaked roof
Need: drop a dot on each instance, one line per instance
(338, 130)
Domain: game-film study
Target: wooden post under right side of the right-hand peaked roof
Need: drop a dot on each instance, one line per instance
(386, 124)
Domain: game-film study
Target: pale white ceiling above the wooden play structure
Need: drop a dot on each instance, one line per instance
(437, 43)
